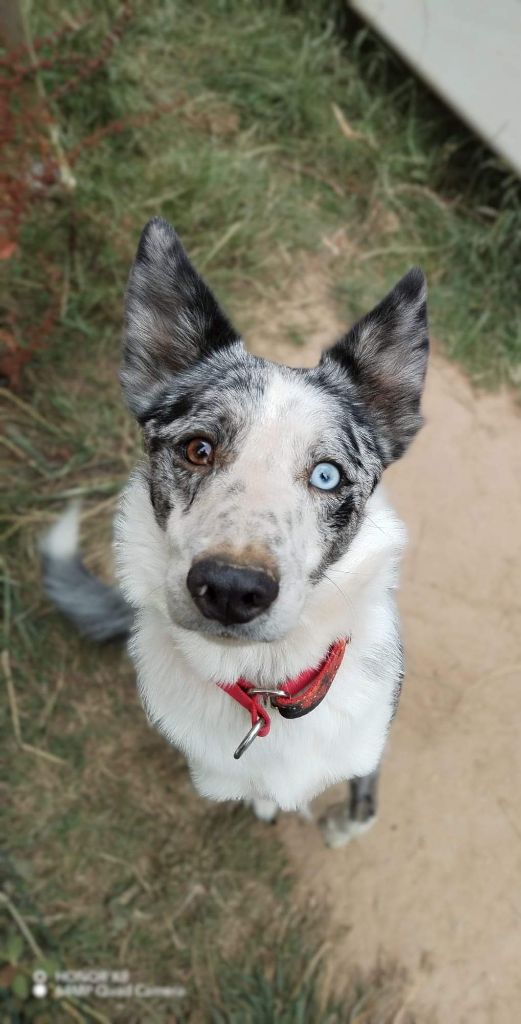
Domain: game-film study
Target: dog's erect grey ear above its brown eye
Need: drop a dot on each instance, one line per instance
(171, 317)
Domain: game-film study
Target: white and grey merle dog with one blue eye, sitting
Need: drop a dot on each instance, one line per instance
(256, 552)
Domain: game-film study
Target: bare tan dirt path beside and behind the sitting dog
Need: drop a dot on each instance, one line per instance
(437, 885)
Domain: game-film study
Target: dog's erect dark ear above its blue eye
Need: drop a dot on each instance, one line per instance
(385, 354)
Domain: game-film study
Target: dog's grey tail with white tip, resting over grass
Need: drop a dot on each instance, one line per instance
(99, 612)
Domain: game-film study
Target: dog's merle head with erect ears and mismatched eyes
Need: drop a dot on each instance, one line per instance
(259, 475)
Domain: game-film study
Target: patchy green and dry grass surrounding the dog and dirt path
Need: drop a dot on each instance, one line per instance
(263, 132)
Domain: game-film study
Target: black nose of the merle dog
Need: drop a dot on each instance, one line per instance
(231, 593)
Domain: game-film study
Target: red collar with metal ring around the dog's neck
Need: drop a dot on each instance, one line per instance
(293, 699)
